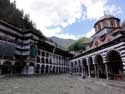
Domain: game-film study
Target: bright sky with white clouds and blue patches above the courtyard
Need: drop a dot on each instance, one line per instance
(69, 19)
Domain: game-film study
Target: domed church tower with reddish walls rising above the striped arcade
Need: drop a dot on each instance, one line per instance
(106, 25)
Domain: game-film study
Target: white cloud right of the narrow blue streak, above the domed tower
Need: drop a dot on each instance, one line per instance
(95, 8)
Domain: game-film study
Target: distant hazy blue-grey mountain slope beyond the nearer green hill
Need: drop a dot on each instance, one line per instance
(62, 42)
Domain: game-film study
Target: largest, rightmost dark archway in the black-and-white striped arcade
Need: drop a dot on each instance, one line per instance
(115, 67)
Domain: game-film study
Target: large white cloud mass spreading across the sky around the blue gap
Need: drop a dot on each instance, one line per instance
(63, 13)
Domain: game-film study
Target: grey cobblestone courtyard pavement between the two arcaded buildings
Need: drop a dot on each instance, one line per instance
(59, 84)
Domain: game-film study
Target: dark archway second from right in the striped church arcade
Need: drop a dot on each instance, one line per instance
(100, 67)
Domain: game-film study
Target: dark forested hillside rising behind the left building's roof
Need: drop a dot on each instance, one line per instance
(12, 15)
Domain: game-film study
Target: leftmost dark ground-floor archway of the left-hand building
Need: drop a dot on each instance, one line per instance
(6, 67)
